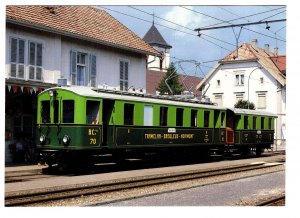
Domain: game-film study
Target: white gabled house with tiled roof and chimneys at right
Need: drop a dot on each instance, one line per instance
(252, 74)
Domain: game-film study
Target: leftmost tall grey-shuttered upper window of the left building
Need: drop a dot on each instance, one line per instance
(17, 58)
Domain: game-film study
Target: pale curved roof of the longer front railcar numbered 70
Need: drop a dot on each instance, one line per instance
(110, 94)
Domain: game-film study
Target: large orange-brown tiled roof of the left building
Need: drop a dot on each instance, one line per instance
(80, 21)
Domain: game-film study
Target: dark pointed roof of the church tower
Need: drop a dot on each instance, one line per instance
(154, 38)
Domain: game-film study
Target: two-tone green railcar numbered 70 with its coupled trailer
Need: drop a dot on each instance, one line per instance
(77, 123)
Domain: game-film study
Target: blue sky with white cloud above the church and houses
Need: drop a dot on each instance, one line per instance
(177, 23)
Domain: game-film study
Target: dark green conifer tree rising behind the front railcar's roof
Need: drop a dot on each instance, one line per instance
(173, 81)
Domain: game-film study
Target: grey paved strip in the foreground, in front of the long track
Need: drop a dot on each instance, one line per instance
(223, 194)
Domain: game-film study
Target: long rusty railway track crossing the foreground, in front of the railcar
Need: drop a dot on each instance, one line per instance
(29, 197)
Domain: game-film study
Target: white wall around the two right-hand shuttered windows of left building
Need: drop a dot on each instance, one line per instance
(107, 64)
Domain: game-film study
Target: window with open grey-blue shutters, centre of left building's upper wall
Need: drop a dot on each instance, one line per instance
(83, 69)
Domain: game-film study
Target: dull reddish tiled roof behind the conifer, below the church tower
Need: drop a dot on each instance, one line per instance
(153, 79)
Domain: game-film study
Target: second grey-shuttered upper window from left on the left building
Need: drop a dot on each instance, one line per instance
(35, 60)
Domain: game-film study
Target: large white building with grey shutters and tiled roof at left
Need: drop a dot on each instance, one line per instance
(83, 45)
